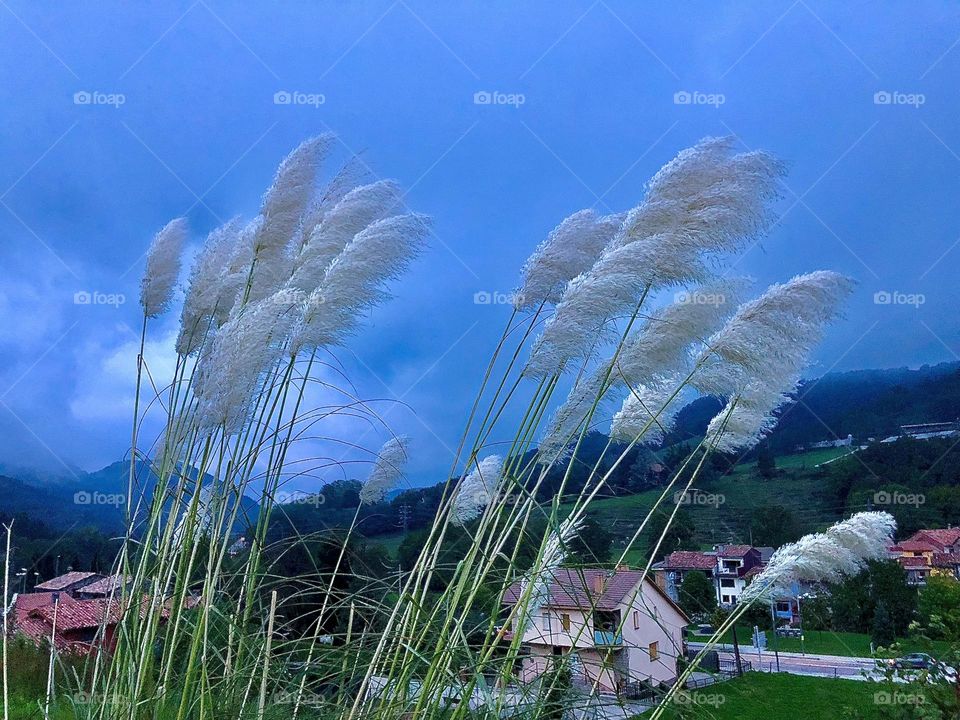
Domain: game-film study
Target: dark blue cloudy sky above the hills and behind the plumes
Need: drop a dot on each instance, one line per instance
(179, 117)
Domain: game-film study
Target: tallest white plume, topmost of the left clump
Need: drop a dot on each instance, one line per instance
(278, 225)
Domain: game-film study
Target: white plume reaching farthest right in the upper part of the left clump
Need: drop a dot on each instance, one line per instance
(354, 280)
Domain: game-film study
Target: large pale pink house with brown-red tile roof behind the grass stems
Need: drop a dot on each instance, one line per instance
(618, 627)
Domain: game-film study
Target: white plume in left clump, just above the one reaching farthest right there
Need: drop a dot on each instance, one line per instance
(357, 210)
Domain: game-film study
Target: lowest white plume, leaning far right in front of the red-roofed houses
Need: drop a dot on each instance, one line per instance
(841, 551)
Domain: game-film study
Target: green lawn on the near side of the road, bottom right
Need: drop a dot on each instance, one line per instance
(778, 696)
